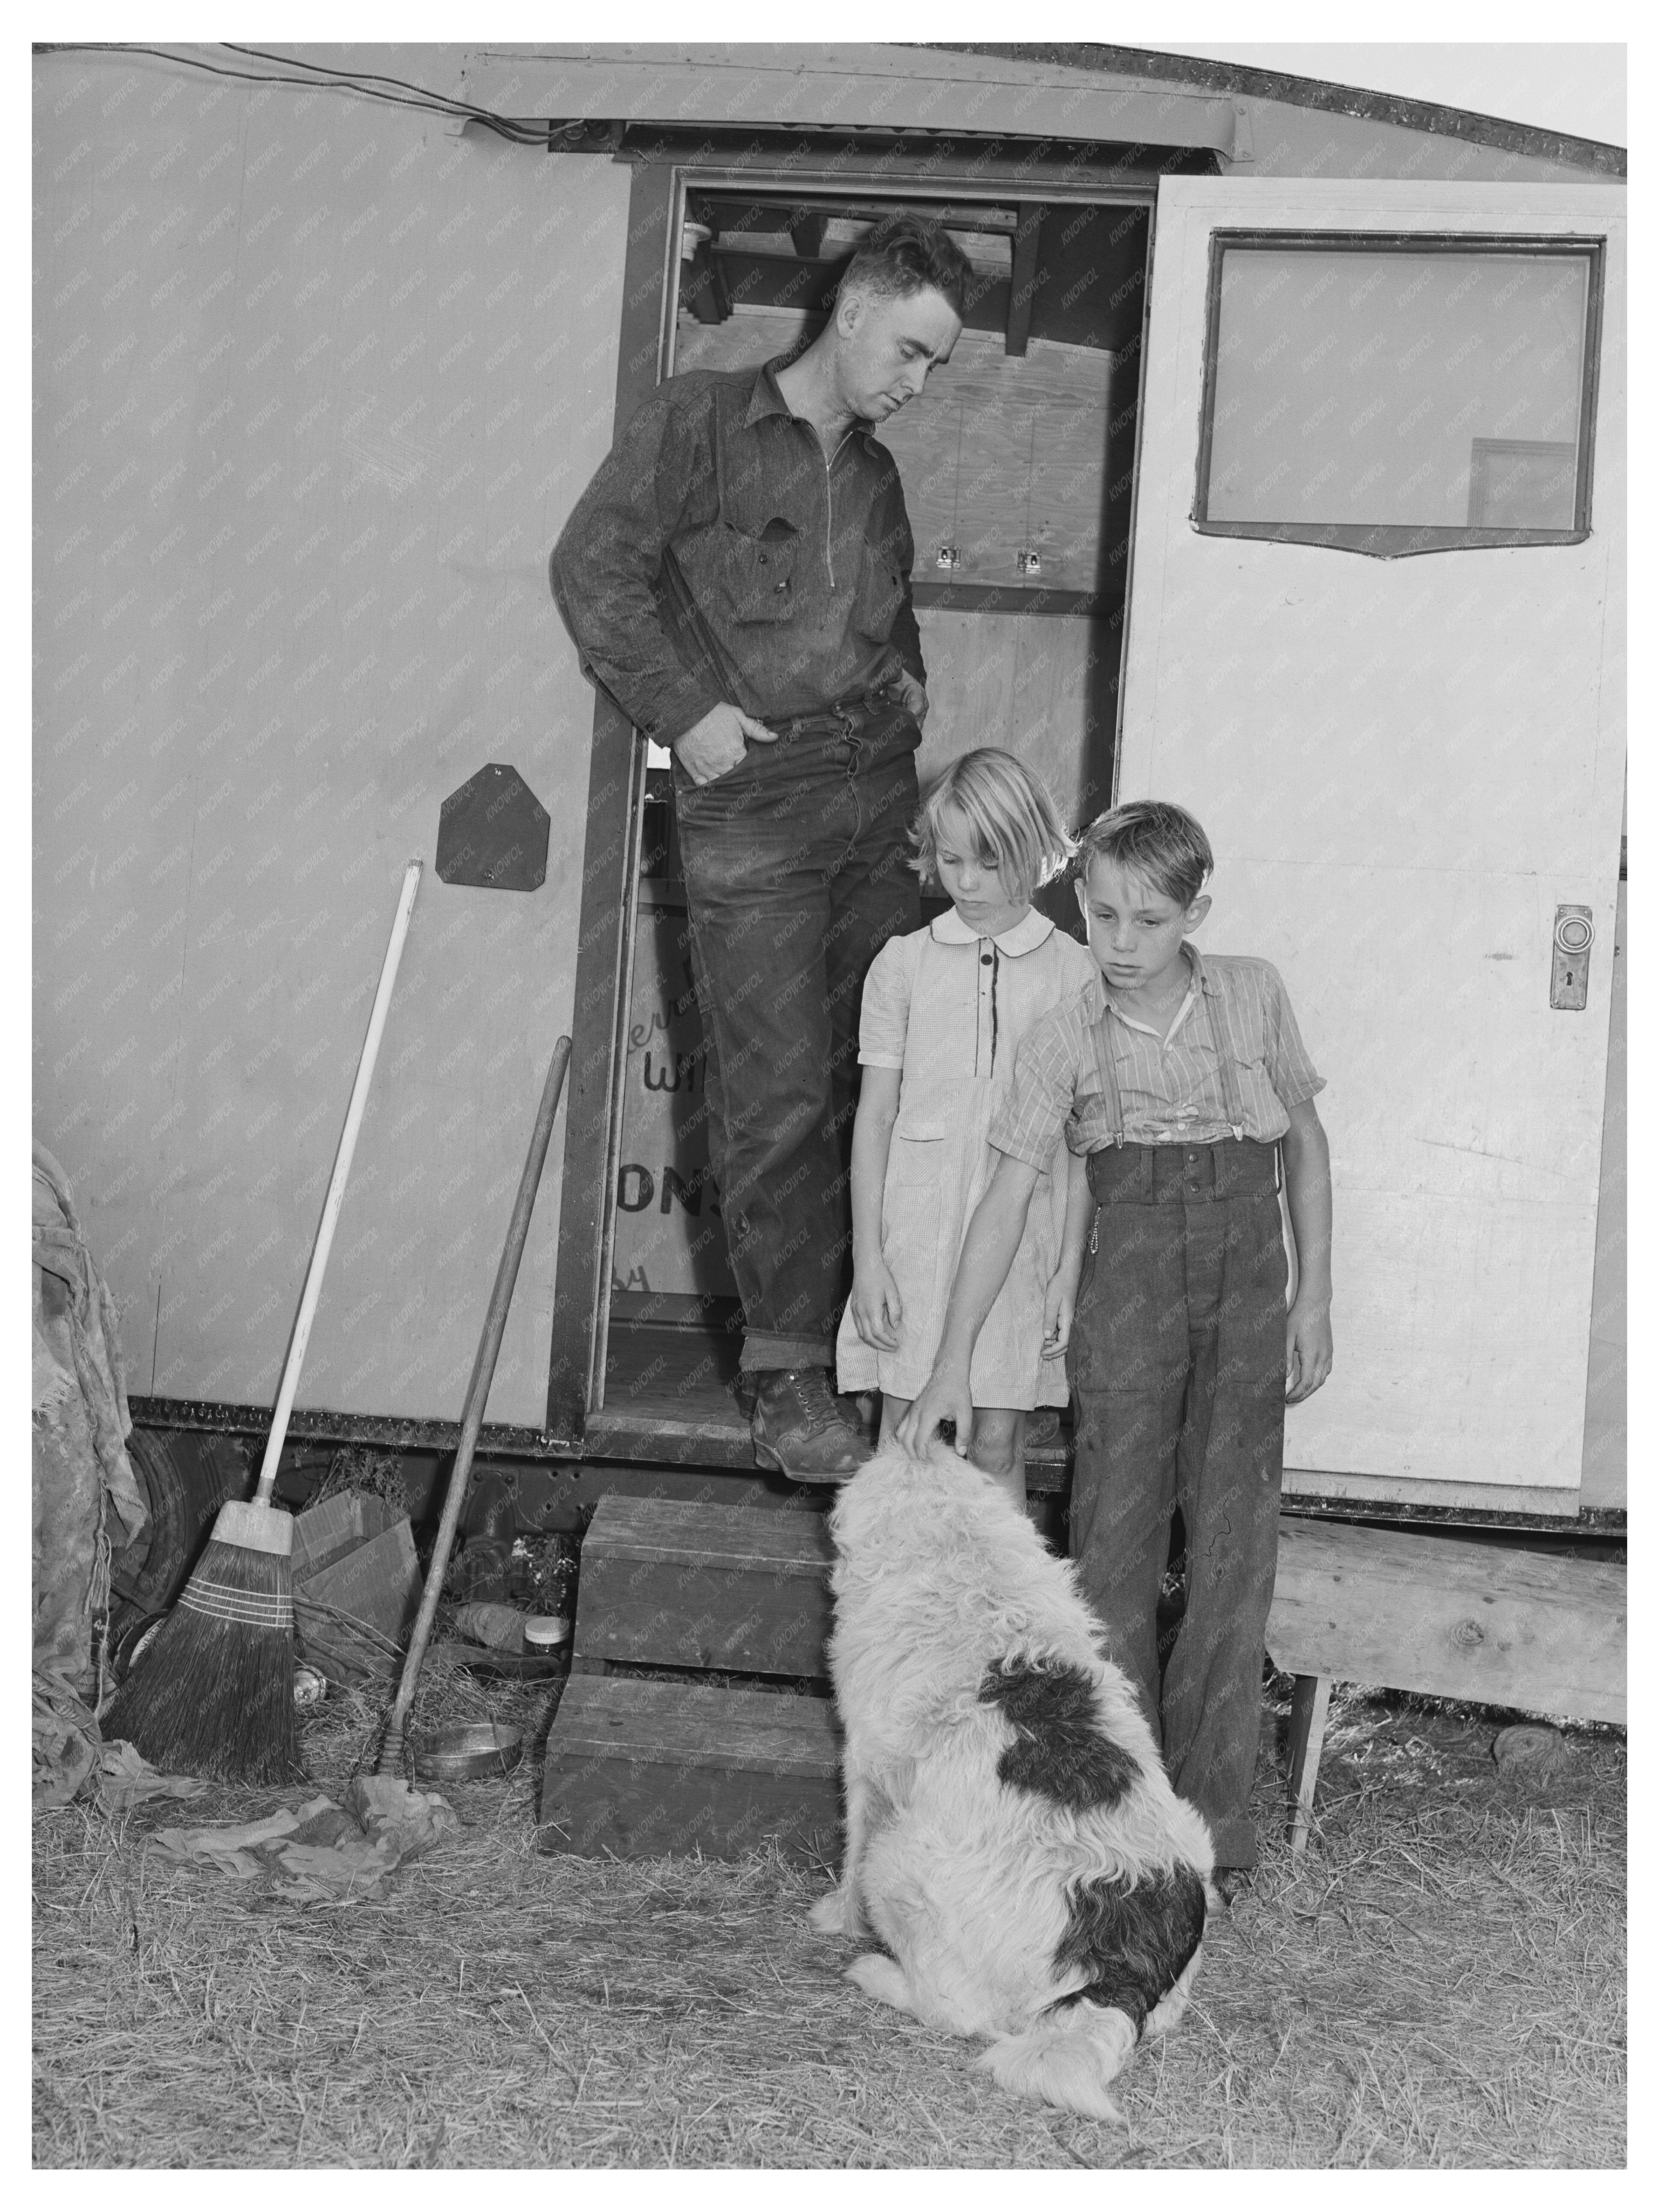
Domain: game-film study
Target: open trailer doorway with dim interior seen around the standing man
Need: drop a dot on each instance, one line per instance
(1019, 468)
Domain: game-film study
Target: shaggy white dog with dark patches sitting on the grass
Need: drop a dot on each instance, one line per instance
(1012, 1835)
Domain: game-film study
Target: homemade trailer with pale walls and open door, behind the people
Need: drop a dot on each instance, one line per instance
(326, 353)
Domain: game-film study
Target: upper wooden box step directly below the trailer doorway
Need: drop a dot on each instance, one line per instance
(667, 1583)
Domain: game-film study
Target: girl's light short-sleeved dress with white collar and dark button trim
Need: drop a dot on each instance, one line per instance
(950, 1010)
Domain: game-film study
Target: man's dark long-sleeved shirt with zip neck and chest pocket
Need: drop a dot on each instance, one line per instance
(718, 556)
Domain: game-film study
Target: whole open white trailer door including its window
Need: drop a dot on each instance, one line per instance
(1408, 766)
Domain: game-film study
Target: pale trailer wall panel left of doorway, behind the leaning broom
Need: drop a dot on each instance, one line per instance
(317, 388)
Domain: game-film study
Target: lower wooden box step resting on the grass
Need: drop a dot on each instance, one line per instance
(658, 1768)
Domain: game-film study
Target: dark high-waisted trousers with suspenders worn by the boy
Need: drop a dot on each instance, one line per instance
(1178, 1368)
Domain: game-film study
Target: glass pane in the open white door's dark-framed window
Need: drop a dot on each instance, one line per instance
(1361, 388)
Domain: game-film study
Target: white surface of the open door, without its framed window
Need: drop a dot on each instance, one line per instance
(1406, 769)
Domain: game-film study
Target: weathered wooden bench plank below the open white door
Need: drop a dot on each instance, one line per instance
(1450, 1618)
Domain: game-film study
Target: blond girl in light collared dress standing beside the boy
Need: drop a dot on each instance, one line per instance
(941, 1023)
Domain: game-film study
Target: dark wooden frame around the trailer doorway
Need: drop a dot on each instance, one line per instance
(618, 778)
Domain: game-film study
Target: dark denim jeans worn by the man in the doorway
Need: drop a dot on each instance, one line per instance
(797, 873)
